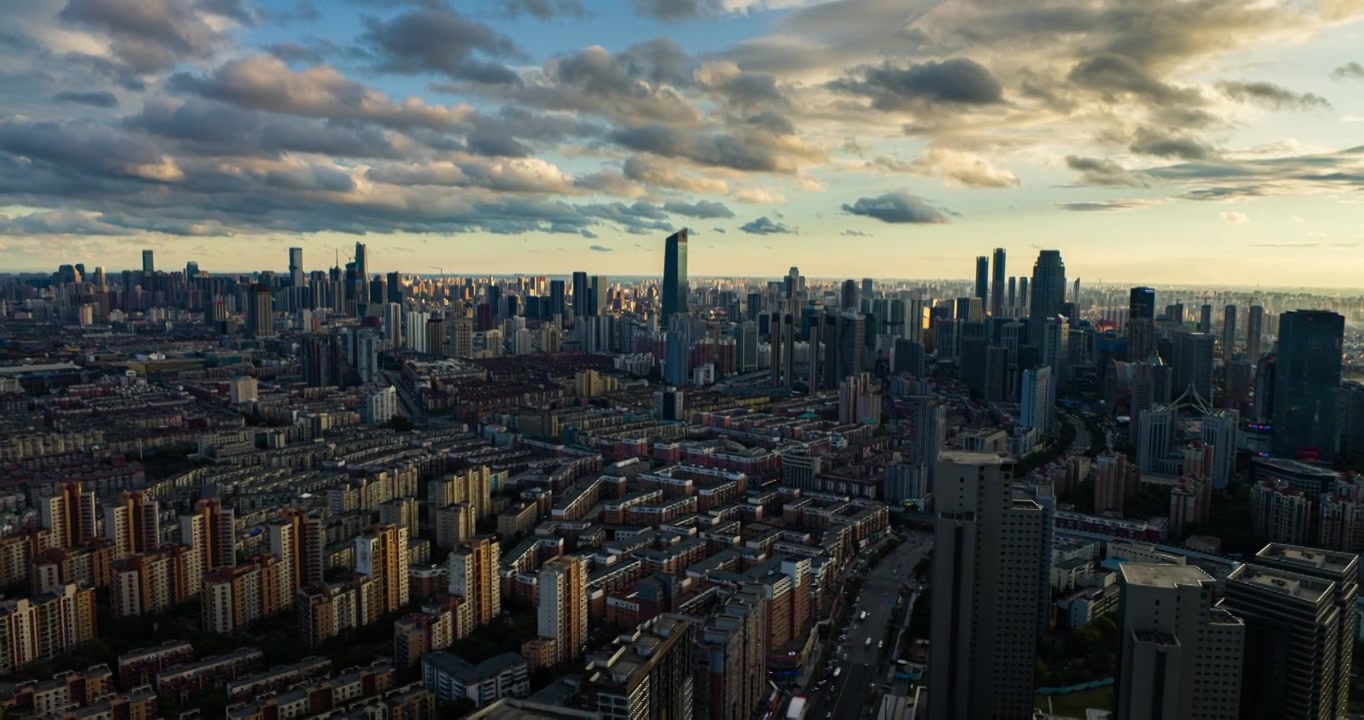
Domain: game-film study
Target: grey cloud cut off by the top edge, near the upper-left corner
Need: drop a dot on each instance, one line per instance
(149, 36)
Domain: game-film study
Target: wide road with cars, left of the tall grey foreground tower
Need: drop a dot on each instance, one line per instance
(863, 663)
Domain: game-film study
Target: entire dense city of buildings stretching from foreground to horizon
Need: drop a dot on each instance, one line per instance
(344, 494)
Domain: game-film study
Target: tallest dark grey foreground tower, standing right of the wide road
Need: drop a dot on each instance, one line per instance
(988, 572)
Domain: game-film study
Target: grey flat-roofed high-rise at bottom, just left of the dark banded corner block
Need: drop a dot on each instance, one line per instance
(1181, 651)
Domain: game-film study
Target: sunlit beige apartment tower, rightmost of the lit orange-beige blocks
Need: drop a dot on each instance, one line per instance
(563, 609)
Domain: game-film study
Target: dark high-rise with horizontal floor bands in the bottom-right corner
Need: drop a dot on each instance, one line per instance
(1299, 610)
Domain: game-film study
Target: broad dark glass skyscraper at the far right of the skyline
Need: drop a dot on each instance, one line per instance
(1306, 385)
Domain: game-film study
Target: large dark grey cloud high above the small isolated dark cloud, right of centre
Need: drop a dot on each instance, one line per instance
(951, 82)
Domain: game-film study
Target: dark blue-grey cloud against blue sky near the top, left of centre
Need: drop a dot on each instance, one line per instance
(444, 43)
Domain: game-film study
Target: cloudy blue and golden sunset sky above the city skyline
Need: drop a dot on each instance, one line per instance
(1151, 141)
